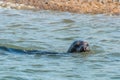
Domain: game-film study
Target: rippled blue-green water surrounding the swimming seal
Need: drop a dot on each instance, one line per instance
(55, 31)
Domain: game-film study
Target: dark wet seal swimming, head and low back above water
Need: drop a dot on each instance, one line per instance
(76, 47)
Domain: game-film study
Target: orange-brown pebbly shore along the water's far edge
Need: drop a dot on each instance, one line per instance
(75, 6)
